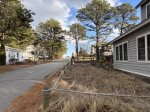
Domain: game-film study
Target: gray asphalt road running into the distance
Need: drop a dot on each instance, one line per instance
(15, 83)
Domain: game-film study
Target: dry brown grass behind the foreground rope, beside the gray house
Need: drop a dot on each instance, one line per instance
(99, 80)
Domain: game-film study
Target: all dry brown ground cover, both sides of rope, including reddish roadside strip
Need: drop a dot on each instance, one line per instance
(87, 78)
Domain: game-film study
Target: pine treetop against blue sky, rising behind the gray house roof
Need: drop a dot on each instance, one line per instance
(125, 17)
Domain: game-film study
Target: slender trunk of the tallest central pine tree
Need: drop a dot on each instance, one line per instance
(97, 44)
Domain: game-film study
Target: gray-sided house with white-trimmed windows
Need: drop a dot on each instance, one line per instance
(132, 49)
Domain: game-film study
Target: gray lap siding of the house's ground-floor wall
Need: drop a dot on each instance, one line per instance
(132, 64)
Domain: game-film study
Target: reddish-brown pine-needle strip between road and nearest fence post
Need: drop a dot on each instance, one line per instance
(29, 102)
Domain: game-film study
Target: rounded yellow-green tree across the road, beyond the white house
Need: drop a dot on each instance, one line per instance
(50, 34)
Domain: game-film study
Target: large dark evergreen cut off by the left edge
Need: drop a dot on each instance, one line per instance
(13, 16)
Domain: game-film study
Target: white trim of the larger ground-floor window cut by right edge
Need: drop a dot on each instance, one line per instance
(146, 51)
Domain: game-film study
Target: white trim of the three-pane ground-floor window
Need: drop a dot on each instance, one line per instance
(122, 52)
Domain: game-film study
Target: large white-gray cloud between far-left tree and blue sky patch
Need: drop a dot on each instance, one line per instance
(45, 9)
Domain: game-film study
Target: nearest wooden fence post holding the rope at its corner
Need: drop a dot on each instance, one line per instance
(46, 97)
